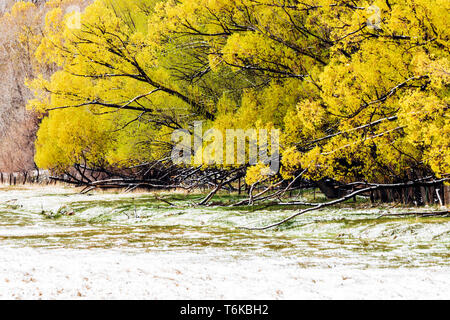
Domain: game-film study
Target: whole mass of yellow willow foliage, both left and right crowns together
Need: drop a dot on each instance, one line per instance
(359, 90)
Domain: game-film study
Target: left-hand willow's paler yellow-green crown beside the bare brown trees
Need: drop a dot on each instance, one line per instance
(118, 93)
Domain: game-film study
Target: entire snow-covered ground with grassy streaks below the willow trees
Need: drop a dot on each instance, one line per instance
(177, 255)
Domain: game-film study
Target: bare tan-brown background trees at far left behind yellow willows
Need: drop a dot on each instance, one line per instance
(21, 25)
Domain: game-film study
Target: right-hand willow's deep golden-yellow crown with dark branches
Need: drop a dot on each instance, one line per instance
(360, 92)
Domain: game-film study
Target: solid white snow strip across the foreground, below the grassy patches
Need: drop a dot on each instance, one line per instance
(69, 274)
